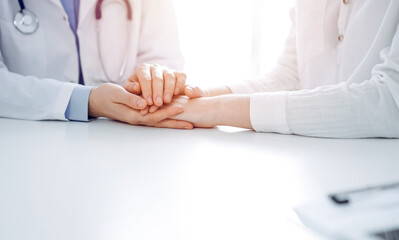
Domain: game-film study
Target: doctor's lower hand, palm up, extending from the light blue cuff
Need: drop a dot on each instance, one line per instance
(114, 102)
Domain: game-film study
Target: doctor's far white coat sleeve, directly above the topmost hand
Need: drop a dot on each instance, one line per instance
(159, 41)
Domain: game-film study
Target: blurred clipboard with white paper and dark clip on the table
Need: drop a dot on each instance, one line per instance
(370, 213)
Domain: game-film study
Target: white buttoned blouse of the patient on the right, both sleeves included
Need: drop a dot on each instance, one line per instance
(338, 75)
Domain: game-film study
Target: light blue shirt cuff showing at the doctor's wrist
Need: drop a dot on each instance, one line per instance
(78, 106)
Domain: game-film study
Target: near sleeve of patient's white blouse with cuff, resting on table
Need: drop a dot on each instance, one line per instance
(346, 110)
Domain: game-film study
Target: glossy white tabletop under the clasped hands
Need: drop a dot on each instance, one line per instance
(108, 180)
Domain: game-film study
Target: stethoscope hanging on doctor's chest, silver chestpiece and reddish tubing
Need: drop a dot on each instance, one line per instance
(27, 23)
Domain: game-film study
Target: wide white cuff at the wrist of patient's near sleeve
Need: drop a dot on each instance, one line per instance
(267, 112)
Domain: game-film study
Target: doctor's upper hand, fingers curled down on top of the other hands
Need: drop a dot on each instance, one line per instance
(156, 84)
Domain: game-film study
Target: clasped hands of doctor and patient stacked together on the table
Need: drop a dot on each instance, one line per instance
(152, 96)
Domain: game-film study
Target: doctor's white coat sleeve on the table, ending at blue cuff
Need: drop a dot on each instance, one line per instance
(27, 97)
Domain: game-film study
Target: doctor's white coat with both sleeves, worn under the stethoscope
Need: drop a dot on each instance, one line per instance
(38, 72)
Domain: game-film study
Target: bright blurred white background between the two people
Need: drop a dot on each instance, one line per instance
(231, 40)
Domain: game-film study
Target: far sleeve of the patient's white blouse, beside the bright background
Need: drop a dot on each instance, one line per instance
(284, 76)
